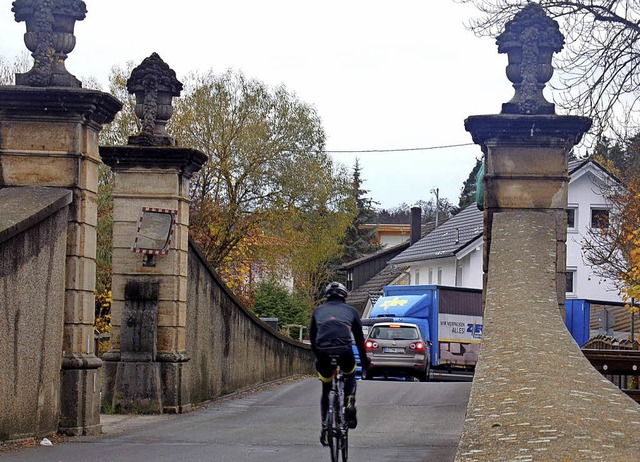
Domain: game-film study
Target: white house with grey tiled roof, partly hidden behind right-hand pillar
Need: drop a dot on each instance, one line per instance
(451, 254)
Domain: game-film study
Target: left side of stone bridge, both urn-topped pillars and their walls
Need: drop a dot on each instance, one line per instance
(179, 337)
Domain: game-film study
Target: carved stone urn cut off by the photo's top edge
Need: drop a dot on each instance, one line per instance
(50, 38)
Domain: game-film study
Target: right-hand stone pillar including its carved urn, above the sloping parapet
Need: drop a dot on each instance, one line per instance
(526, 146)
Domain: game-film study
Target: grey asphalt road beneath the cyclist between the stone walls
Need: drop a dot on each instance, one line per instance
(398, 421)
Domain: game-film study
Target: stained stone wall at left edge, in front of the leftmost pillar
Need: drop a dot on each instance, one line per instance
(33, 239)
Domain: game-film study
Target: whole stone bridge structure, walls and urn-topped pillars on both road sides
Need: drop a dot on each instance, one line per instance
(180, 337)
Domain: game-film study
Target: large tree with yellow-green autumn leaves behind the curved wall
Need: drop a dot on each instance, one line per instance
(269, 199)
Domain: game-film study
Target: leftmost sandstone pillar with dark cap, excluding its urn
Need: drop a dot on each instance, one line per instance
(49, 137)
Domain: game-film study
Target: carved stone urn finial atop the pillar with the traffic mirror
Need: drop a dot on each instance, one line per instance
(154, 84)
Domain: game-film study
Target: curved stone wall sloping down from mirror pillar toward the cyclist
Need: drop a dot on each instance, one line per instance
(230, 348)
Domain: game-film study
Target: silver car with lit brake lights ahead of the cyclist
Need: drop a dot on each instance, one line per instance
(397, 349)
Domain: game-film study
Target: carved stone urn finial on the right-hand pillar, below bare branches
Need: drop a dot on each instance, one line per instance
(530, 39)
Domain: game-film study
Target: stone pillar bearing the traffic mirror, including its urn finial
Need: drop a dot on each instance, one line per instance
(149, 287)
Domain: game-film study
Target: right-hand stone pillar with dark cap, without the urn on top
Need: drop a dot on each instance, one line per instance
(526, 169)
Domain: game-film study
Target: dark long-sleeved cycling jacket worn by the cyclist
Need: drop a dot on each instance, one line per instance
(332, 327)
